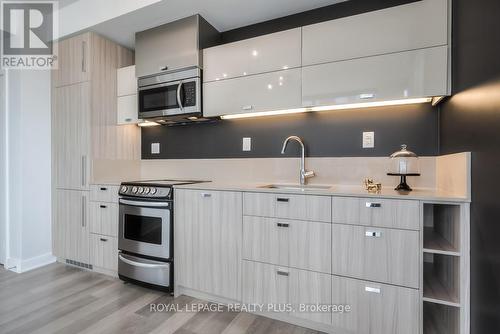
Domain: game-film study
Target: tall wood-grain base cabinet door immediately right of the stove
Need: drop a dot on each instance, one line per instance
(208, 241)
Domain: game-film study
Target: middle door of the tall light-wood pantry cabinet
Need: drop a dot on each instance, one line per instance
(71, 136)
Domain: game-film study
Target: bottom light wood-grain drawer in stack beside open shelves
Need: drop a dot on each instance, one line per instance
(375, 308)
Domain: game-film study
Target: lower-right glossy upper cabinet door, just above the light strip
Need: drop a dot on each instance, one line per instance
(411, 74)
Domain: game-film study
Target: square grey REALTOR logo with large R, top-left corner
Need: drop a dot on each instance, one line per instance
(28, 30)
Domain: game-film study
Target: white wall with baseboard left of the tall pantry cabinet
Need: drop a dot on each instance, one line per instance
(29, 169)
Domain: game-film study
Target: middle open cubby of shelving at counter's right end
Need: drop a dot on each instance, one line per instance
(441, 288)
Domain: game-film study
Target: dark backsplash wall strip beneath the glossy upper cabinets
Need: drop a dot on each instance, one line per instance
(326, 134)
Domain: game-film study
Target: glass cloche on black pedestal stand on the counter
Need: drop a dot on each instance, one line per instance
(404, 163)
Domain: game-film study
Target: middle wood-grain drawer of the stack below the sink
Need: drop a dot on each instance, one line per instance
(298, 244)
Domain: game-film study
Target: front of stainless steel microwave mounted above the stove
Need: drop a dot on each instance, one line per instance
(170, 99)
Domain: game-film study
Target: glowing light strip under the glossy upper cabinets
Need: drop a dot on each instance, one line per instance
(333, 107)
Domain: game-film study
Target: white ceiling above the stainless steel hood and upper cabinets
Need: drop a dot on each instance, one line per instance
(222, 14)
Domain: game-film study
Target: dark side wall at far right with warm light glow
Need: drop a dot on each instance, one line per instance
(470, 121)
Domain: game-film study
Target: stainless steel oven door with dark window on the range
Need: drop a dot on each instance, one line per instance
(145, 228)
